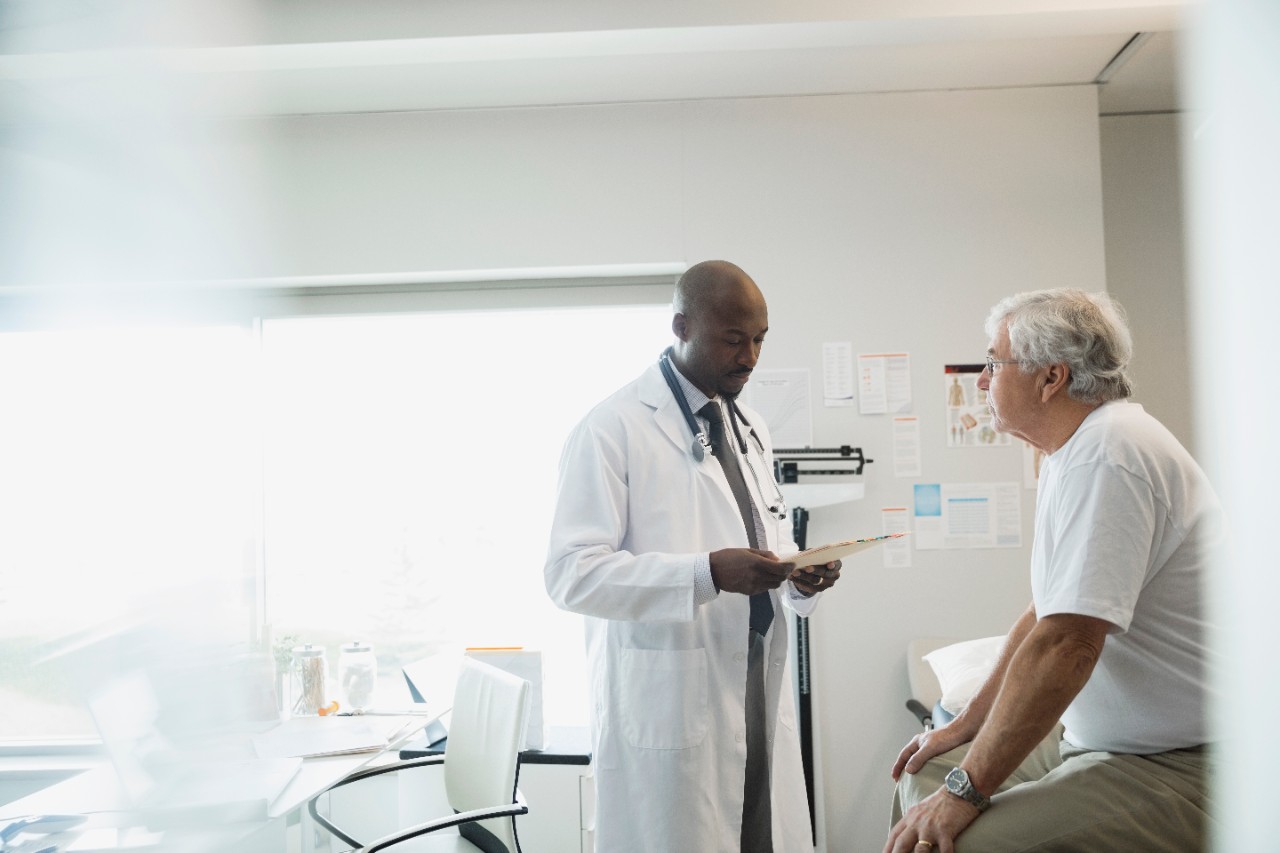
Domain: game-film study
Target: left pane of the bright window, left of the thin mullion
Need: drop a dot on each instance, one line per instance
(127, 475)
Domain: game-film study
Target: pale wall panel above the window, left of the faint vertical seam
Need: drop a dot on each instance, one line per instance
(486, 189)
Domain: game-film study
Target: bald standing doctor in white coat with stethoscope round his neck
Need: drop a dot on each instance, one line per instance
(675, 567)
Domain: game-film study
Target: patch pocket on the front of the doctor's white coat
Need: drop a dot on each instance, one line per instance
(665, 699)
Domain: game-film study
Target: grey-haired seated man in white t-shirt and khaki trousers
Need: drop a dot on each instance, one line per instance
(1116, 641)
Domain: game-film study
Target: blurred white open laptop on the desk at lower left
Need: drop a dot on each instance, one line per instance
(211, 781)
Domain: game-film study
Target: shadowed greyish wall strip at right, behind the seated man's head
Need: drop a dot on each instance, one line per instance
(1142, 194)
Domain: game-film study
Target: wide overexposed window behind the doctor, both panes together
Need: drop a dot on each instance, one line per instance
(385, 478)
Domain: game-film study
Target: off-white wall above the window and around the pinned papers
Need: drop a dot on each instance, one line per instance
(889, 221)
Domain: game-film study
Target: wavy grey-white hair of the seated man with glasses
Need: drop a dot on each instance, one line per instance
(1085, 331)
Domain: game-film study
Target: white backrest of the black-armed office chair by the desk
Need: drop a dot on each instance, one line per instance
(482, 756)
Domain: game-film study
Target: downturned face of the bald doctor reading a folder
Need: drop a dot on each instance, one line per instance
(721, 344)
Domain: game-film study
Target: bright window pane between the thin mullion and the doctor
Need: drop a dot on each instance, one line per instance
(410, 477)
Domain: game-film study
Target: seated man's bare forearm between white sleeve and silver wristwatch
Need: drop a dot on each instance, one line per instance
(1050, 667)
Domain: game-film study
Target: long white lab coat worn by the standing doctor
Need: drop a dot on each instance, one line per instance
(669, 679)
